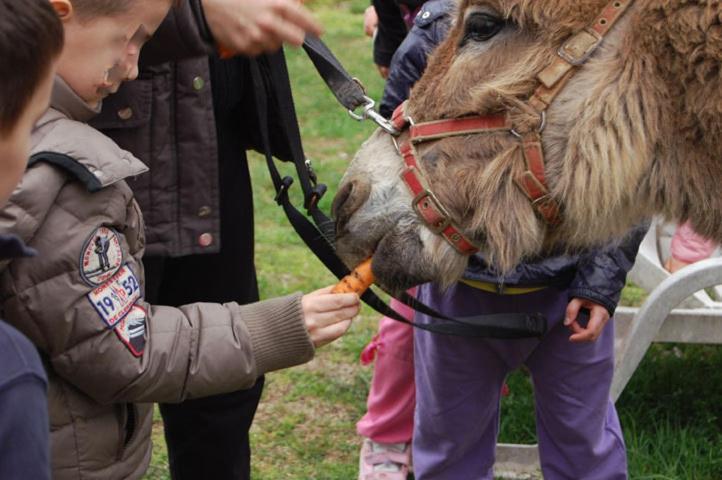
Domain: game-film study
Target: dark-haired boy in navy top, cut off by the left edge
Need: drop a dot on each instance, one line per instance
(31, 38)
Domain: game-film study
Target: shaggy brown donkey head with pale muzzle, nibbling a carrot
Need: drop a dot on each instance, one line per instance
(597, 140)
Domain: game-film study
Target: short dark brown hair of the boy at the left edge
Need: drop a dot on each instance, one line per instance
(31, 38)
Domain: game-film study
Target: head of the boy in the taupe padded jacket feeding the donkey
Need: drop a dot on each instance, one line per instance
(102, 42)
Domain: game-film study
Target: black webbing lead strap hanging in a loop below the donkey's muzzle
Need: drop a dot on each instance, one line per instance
(316, 237)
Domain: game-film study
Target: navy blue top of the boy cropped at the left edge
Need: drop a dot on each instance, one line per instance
(24, 425)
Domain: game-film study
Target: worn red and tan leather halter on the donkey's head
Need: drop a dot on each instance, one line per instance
(532, 182)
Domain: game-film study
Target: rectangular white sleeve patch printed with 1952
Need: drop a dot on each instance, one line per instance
(115, 298)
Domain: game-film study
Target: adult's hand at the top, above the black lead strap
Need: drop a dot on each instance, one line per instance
(252, 27)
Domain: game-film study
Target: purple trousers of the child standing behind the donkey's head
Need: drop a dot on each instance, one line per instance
(459, 380)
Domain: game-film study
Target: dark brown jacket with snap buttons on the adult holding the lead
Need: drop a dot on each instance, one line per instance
(179, 196)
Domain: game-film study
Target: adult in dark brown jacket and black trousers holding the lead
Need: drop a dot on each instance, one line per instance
(197, 198)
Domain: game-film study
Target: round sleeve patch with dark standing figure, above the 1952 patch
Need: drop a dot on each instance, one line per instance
(102, 256)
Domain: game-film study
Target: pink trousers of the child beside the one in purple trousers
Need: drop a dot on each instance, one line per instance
(390, 406)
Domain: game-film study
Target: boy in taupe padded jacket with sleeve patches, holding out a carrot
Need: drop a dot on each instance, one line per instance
(108, 353)
